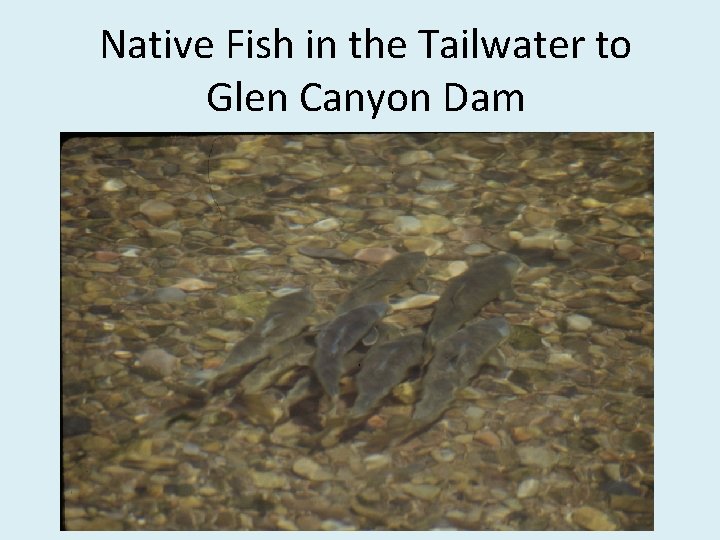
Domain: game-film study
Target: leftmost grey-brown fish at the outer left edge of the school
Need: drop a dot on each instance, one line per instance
(285, 318)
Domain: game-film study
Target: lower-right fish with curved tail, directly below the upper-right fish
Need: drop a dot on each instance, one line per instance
(455, 362)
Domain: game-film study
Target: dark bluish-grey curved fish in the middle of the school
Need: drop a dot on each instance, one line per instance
(337, 338)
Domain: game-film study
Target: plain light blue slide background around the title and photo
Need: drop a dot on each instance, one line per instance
(54, 79)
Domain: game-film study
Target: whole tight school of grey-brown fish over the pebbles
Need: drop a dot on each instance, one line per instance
(279, 352)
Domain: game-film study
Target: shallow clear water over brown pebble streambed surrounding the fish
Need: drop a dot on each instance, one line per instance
(172, 247)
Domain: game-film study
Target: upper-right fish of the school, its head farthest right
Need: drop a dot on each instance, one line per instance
(466, 294)
